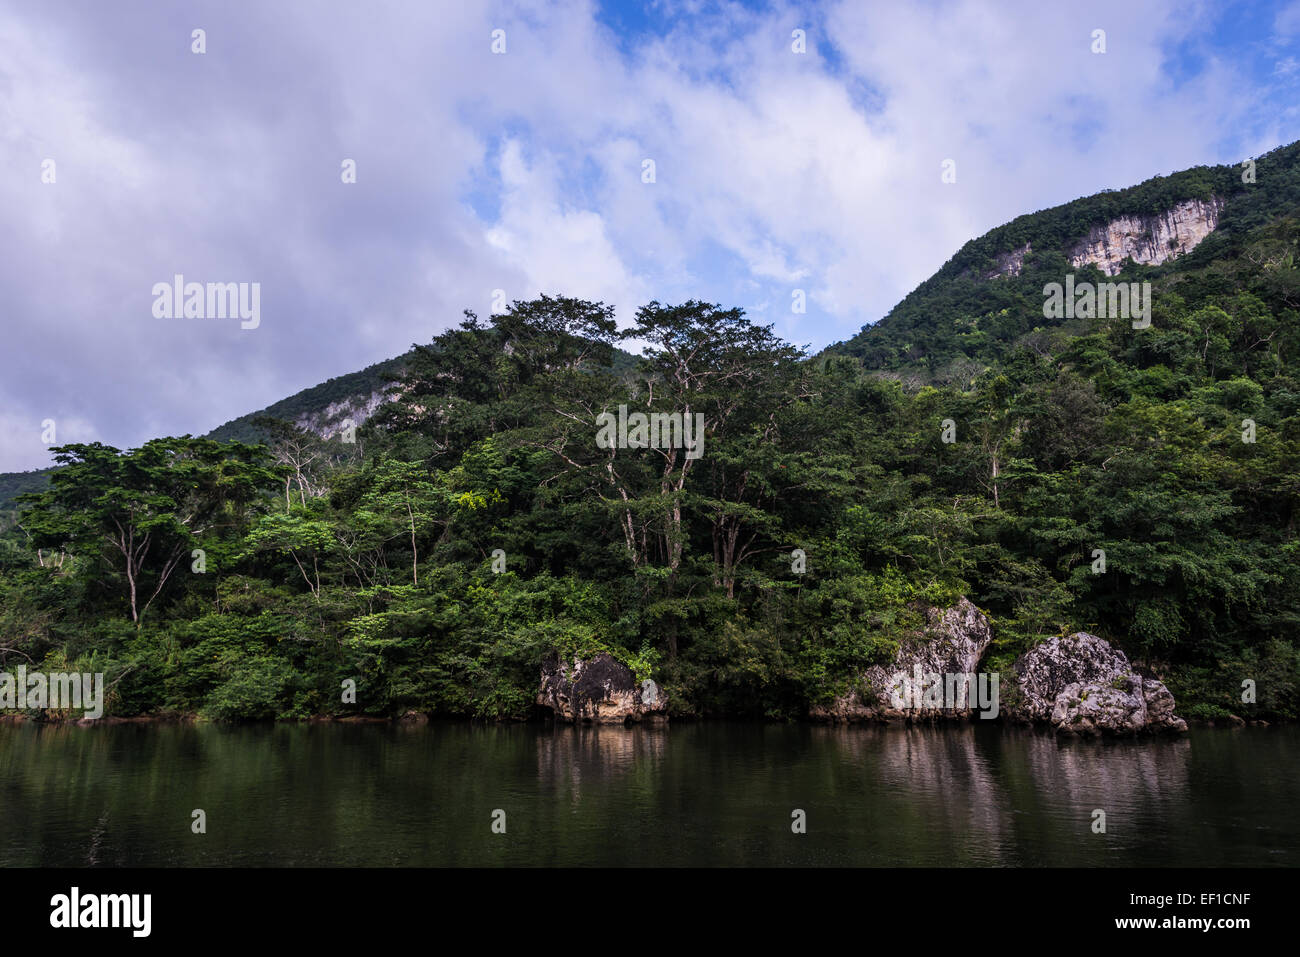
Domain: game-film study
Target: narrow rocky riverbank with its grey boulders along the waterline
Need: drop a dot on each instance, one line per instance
(1080, 686)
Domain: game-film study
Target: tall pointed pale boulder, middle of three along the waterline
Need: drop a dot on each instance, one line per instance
(952, 643)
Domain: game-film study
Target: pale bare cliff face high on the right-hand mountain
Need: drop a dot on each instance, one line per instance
(1149, 240)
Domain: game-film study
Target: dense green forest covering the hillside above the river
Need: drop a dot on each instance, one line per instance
(476, 526)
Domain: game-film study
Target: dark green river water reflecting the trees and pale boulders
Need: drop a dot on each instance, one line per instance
(692, 794)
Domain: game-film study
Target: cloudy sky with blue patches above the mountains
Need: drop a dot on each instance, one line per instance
(501, 151)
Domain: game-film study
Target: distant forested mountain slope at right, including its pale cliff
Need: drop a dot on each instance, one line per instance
(989, 298)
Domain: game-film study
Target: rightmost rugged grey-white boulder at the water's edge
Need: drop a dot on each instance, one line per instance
(1082, 686)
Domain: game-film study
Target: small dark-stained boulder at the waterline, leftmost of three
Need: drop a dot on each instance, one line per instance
(600, 690)
